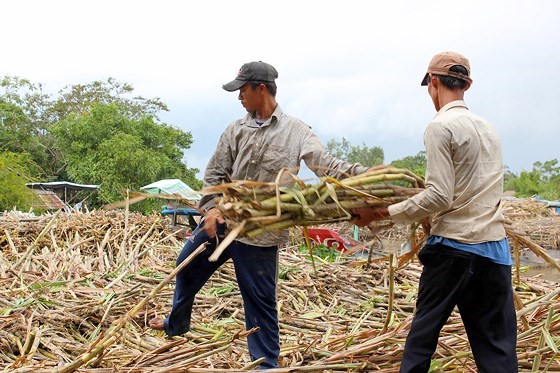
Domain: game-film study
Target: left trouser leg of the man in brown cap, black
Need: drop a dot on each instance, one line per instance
(445, 274)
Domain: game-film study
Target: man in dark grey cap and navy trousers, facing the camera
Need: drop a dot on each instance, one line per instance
(255, 147)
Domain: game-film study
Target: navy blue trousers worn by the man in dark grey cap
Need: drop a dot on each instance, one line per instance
(256, 269)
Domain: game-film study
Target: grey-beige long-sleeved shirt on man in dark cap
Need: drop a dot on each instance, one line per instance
(249, 151)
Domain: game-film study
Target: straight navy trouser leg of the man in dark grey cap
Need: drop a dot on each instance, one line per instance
(256, 269)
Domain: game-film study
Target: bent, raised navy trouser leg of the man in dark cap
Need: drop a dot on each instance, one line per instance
(191, 279)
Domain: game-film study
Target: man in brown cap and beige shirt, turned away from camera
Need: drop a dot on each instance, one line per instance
(466, 258)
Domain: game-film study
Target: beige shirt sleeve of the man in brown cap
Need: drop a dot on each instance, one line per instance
(440, 179)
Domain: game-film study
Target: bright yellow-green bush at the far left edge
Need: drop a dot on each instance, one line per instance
(14, 169)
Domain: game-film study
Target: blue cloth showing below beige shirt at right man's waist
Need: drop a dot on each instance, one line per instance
(497, 251)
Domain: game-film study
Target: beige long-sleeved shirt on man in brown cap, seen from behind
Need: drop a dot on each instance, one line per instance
(464, 179)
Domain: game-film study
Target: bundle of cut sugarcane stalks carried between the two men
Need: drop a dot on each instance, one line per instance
(252, 208)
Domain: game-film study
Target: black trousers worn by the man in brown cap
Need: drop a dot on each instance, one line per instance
(482, 291)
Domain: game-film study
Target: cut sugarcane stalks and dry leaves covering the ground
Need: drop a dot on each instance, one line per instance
(79, 288)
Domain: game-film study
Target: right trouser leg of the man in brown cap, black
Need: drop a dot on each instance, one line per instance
(488, 313)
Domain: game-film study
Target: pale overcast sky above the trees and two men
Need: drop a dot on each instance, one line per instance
(348, 68)
